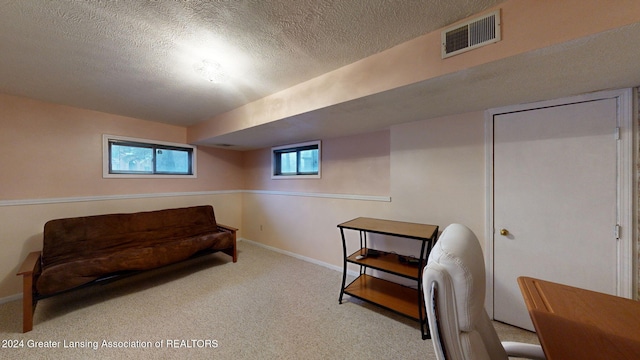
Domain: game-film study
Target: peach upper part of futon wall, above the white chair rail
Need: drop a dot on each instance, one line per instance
(51, 151)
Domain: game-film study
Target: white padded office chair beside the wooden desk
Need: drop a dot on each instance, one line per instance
(454, 291)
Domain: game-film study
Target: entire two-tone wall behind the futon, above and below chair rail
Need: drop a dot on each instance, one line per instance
(51, 159)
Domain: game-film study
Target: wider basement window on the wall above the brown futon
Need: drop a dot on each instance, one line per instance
(125, 157)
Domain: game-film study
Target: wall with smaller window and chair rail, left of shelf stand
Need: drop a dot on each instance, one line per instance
(300, 216)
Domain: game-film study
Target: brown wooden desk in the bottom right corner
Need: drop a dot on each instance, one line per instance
(574, 323)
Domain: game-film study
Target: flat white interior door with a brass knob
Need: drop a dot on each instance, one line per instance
(555, 196)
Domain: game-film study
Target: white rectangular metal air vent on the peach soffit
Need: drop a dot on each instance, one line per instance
(471, 34)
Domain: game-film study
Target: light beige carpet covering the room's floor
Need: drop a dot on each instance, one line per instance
(265, 306)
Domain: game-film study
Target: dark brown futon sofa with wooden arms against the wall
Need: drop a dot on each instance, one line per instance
(84, 250)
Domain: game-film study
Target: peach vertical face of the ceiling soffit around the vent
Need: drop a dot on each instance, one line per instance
(526, 26)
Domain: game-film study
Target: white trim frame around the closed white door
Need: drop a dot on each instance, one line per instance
(626, 250)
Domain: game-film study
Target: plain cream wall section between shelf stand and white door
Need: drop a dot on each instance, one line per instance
(438, 171)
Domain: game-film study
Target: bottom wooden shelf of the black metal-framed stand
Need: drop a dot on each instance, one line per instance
(395, 297)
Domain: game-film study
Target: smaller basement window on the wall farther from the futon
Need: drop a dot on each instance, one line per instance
(296, 161)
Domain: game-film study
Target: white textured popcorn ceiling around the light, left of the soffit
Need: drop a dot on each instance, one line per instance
(136, 58)
